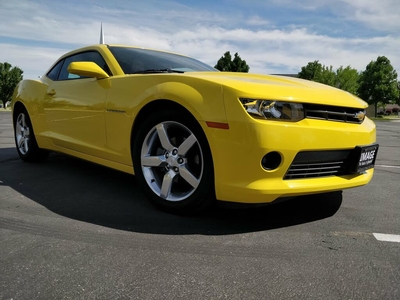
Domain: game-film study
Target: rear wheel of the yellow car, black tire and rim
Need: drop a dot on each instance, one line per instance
(25, 140)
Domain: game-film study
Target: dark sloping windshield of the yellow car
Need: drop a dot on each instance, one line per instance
(134, 60)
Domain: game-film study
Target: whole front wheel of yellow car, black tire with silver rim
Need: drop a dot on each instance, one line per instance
(173, 163)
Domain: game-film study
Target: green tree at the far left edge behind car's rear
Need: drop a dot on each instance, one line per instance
(9, 78)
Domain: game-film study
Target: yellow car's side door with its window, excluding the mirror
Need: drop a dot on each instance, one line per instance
(75, 108)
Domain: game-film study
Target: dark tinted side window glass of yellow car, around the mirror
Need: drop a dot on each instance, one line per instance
(60, 71)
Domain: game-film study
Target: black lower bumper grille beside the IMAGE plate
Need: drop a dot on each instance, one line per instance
(313, 164)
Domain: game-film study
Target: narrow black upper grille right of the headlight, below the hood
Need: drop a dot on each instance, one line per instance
(332, 113)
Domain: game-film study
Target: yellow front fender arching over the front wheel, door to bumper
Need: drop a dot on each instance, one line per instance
(128, 95)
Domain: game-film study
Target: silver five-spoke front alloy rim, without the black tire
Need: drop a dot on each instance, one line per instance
(172, 161)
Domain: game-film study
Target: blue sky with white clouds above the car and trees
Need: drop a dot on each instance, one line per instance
(273, 36)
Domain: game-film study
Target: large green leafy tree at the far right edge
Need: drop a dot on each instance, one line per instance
(378, 83)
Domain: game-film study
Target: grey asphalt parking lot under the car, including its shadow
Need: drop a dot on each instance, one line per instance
(73, 230)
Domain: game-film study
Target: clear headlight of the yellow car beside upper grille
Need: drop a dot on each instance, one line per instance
(273, 110)
